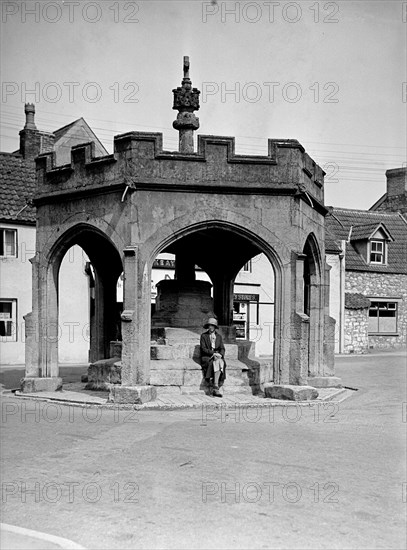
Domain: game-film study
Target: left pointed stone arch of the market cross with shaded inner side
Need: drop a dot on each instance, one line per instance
(107, 265)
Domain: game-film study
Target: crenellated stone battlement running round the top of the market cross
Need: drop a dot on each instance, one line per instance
(139, 161)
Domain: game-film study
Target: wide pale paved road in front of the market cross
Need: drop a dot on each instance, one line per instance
(303, 478)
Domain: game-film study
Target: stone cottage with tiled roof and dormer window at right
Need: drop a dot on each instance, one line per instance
(367, 252)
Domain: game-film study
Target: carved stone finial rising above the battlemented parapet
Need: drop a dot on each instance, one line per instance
(186, 101)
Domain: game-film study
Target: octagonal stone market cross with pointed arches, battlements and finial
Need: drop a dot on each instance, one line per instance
(209, 208)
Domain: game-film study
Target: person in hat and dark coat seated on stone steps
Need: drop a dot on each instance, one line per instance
(213, 357)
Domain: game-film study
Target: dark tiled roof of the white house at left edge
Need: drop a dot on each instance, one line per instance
(17, 186)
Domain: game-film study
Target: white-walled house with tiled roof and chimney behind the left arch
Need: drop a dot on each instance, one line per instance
(17, 245)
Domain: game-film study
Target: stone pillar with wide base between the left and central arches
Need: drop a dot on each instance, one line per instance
(135, 373)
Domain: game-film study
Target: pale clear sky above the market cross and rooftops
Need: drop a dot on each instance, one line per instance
(330, 74)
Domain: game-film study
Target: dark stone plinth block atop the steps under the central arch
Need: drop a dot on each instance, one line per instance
(181, 304)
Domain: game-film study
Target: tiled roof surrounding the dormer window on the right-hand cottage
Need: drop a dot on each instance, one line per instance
(339, 221)
